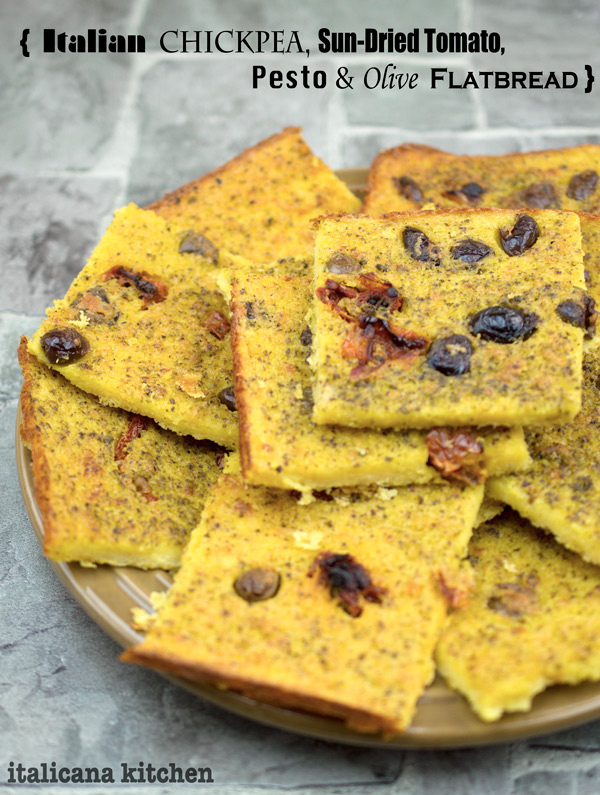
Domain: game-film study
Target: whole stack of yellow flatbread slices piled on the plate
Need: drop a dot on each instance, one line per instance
(366, 437)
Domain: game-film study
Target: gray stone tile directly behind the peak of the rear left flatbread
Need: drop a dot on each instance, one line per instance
(179, 140)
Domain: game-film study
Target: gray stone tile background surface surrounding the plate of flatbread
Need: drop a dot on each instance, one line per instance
(80, 135)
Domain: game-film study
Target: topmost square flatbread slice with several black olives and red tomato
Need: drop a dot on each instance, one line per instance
(425, 319)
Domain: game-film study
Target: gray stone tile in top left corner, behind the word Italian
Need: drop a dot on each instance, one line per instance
(58, 111)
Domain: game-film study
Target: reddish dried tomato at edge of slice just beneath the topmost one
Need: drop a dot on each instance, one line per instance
(456, 453)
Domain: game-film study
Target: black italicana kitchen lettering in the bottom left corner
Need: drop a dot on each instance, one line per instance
(143, 773)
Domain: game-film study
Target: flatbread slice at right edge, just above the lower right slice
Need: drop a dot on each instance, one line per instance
(561, 492)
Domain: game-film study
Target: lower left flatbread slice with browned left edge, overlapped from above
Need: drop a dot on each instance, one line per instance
(111, 487)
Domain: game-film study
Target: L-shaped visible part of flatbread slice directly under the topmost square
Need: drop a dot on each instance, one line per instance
(280, 445)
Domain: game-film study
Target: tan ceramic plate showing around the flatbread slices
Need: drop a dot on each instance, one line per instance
(443, 718)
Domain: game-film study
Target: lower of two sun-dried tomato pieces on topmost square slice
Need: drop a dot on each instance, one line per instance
(375, 342)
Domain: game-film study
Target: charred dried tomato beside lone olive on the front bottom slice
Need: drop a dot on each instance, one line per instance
(347, 580)
